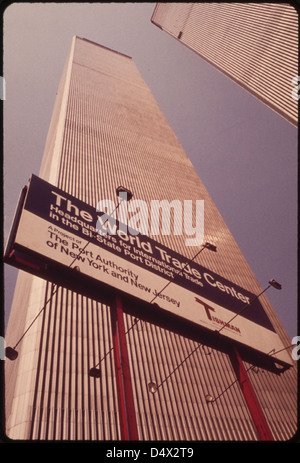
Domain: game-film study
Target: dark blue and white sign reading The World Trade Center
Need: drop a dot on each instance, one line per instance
(59, 227)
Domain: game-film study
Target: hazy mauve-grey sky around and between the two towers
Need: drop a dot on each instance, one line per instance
(245, 154)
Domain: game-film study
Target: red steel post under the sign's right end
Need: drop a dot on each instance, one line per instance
(262, 427)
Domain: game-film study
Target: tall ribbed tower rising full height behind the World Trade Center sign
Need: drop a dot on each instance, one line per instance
(106, 131)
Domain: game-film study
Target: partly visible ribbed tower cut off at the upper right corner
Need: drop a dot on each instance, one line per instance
(254, 44)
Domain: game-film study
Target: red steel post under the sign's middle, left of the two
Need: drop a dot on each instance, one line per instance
(128, 422)
